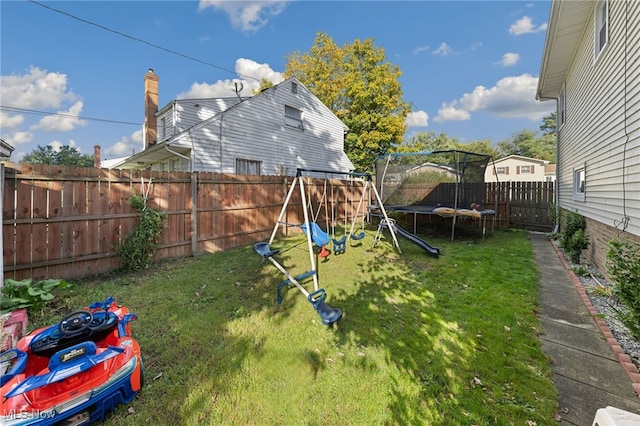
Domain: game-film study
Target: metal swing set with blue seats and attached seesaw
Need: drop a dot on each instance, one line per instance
(315, 235)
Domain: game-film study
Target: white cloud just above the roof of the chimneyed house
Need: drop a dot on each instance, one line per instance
(226, 88)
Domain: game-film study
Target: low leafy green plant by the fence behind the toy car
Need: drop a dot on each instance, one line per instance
(27, 294)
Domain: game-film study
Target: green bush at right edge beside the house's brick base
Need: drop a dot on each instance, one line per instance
(623, 265)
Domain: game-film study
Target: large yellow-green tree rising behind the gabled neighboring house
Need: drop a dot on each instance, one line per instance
(361, 87)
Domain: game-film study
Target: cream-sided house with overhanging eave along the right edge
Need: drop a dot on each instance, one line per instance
(591, 67)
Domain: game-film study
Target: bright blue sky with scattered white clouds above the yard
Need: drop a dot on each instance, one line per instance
(74, 75)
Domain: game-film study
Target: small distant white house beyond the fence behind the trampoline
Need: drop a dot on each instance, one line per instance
(516, 168)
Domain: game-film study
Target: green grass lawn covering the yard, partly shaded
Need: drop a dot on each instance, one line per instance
(448, 341)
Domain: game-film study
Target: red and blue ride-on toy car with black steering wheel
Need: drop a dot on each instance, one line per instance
(74, 372)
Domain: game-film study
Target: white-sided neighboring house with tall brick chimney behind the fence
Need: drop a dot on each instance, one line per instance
(283, 128)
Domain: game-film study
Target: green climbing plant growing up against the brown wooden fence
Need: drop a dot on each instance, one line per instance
(138, 248)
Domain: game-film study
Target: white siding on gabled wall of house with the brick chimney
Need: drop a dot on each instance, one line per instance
(254, 129)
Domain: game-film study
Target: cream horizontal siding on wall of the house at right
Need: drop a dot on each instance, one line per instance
(602, 129)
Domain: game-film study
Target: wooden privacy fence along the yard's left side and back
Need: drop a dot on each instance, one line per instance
(64, 222)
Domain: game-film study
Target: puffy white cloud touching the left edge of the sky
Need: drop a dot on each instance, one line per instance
(37, 89)
